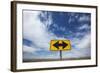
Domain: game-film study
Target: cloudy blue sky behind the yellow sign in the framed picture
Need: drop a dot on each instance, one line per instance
(40, 27)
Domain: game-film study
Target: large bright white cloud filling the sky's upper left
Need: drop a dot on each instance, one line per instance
(35, 30)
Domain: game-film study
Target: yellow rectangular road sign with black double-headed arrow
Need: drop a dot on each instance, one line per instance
(57, 45)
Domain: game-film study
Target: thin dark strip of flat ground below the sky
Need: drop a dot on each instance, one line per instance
(43, 60)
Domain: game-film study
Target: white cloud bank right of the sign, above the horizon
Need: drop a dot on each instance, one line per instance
(81, 47)
